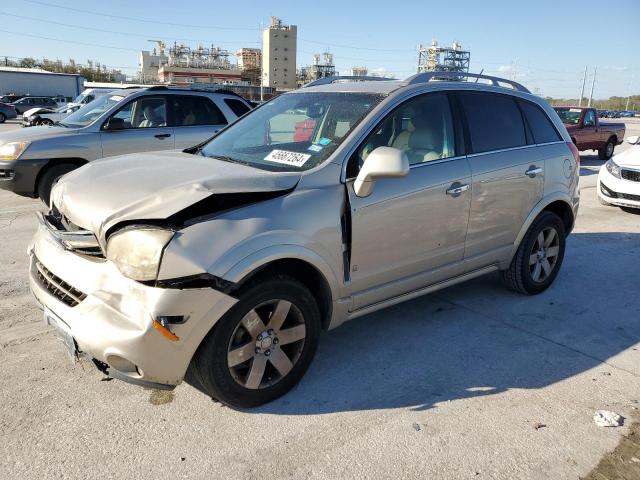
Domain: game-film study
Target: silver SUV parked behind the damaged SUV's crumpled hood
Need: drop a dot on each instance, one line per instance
(126, 121)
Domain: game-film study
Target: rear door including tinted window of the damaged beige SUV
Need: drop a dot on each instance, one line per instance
(507, 175)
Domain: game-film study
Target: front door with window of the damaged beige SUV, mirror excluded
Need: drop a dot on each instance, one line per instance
(410, 232)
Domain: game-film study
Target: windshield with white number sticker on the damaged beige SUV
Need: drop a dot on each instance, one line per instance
(296, 131)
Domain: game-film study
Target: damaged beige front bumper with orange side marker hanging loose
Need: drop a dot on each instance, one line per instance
(115, 320)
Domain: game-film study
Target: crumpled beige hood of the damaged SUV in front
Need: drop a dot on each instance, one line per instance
(154, 185)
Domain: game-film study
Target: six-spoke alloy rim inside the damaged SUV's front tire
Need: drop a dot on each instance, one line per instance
(266, 344)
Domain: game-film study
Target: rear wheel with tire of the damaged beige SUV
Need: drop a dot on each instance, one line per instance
(521, 274)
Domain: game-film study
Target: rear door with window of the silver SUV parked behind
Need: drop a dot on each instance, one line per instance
(195, 118)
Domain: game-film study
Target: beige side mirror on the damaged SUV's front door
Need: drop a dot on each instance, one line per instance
(383, 162)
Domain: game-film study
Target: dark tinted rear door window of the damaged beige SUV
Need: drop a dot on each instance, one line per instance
(494, 120)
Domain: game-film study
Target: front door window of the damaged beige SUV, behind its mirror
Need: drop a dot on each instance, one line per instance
(421, 127)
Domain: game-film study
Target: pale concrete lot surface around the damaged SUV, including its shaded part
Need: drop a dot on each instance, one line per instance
(470, 382)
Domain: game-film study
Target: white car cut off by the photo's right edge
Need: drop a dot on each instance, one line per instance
(619, 178)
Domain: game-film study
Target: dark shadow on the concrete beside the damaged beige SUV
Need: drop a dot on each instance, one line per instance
(479, 339)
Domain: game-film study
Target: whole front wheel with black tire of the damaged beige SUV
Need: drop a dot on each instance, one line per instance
(251, 378)
